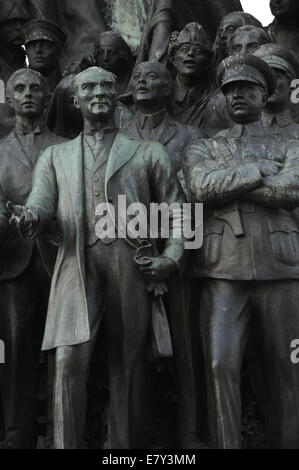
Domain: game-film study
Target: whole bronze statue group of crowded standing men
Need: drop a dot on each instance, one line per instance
(187, 117)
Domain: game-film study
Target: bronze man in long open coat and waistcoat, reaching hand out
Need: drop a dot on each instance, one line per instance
(96, 282)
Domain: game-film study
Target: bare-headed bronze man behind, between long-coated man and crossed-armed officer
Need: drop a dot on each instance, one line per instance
(151, 86)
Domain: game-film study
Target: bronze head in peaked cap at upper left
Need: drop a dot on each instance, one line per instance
(43, 43)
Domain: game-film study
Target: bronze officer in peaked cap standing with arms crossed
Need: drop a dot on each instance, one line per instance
(249, 262)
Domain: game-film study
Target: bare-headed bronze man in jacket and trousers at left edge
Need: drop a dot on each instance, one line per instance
(24, 283)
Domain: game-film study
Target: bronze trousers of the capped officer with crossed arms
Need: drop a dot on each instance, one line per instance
(230, 312)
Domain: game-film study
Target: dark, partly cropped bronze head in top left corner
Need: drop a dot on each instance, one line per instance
(13, 15)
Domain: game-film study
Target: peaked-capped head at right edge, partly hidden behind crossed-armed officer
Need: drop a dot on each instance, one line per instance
(286, 68)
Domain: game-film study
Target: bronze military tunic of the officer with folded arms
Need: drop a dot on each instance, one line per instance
(249, 231)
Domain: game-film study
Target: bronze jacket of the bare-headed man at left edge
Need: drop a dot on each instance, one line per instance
(16, 173)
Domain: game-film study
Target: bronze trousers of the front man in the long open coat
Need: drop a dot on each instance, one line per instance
(116, 287)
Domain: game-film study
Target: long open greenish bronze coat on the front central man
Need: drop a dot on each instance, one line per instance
(140, 170)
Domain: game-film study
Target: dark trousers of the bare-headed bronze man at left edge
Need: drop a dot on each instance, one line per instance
(21, 299)
